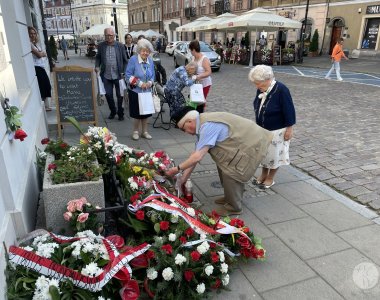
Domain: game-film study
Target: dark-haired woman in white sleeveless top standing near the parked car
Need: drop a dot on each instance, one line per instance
(203, 70)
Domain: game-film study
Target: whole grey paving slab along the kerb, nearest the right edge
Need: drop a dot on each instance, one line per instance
(335, 215)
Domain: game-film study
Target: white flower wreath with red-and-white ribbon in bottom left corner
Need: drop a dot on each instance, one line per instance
(82, 267)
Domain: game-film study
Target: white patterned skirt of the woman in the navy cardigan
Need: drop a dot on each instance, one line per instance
(278, 151)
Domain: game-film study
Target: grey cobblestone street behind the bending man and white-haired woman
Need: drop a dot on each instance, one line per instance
(337, 132)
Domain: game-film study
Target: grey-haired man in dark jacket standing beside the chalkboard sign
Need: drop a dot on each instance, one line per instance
(110, 61)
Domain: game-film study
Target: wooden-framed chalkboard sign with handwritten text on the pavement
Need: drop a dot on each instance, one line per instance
(75, 97)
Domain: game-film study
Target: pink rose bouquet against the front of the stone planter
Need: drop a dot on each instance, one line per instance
(79, 214)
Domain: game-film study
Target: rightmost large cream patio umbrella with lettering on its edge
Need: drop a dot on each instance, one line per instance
(258, 19)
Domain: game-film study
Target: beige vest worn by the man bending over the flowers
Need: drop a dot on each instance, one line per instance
(241, 153)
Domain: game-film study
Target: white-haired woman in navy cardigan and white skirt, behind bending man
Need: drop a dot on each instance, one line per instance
(274, 111)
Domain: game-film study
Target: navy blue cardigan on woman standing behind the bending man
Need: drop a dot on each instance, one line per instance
(278, 109)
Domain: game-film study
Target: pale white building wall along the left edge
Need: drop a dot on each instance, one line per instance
(18, 179)
